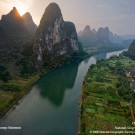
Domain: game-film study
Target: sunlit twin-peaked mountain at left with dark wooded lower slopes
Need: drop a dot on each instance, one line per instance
(15, 42)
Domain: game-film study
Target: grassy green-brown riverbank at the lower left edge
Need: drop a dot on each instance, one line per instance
(14, 90)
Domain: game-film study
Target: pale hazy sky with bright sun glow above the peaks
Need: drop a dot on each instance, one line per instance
(118, 15)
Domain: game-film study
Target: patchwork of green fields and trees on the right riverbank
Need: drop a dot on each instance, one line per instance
(107, 99)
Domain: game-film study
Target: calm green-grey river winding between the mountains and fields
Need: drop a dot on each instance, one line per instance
(52, 105)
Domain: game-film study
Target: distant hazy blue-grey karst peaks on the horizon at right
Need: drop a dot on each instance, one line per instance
(102, 38)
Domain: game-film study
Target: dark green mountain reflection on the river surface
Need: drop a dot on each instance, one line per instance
(54, 84)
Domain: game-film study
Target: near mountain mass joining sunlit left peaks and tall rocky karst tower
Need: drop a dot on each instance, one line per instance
(24, 47)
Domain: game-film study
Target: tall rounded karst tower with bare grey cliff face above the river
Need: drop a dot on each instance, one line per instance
(55, 39)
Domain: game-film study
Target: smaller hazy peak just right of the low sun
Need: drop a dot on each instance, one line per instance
(28, 22)
